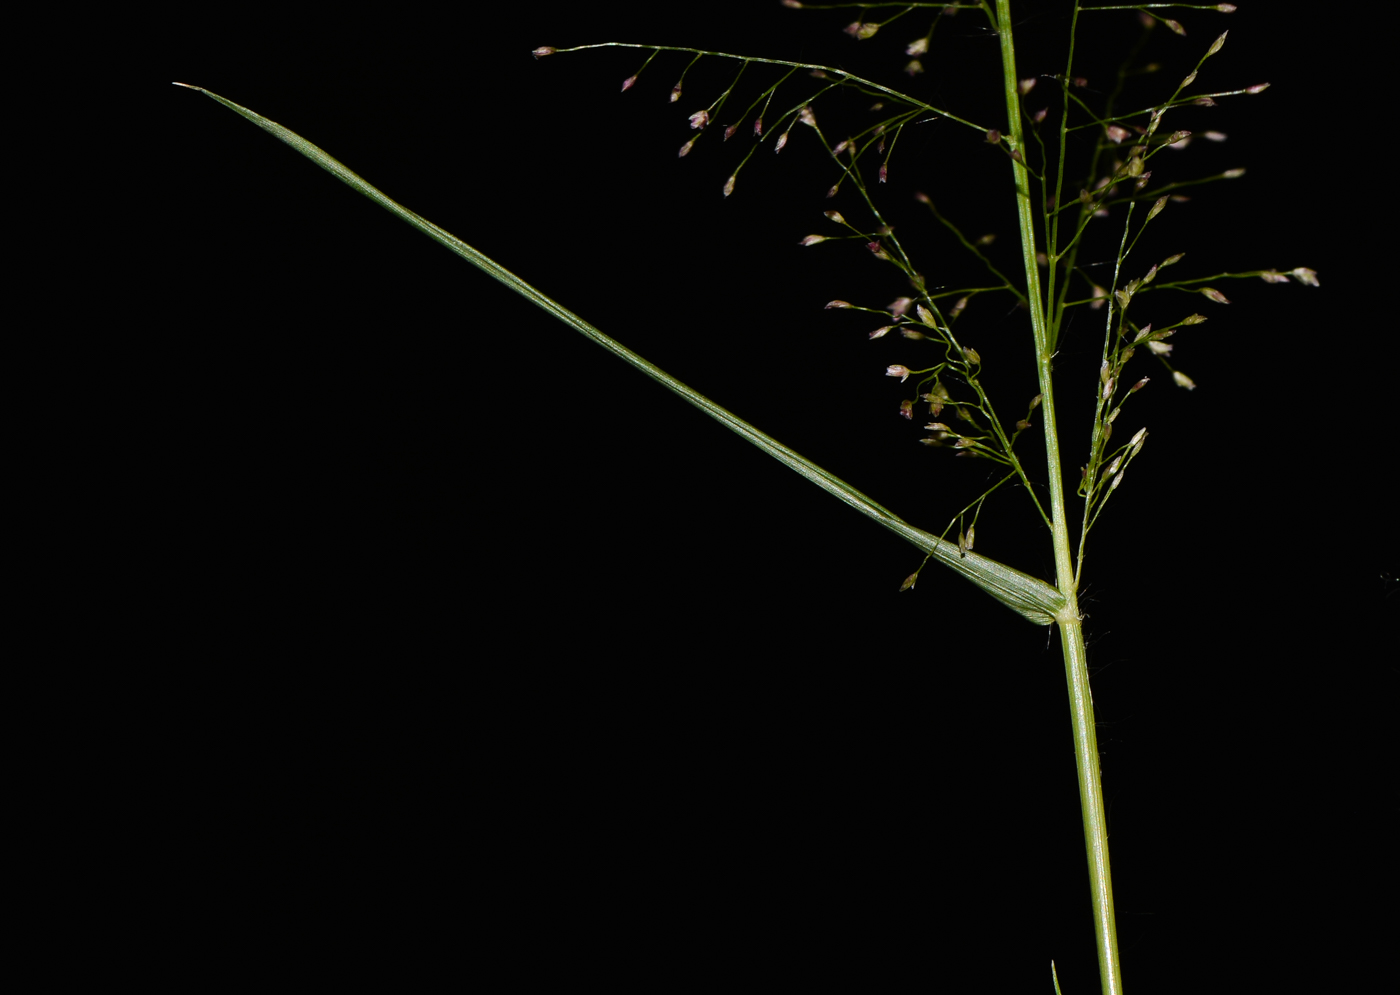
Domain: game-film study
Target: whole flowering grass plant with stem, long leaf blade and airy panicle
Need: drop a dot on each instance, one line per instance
(1095, 181)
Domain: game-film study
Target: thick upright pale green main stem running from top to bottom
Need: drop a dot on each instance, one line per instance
(1072, 630)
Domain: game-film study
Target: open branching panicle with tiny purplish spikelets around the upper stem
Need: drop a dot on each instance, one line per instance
(1121, 183)
